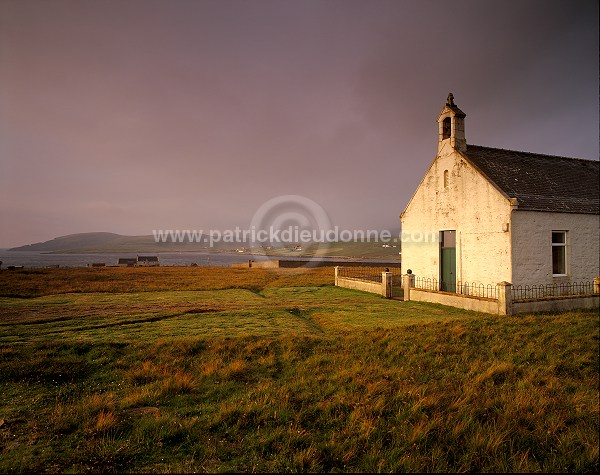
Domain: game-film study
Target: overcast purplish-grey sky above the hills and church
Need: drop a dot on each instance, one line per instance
(128, 116)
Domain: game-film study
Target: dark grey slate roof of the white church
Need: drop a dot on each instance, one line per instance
(541, 182)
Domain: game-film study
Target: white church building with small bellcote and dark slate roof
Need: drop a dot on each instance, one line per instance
(501, 215)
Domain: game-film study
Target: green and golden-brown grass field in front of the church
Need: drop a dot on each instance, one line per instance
(216, 369)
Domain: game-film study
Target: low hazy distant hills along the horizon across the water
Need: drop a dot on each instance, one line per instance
(100, 242)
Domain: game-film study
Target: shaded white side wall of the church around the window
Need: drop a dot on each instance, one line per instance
(532, 246)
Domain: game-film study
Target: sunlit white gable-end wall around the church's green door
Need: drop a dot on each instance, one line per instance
(473, 207)
